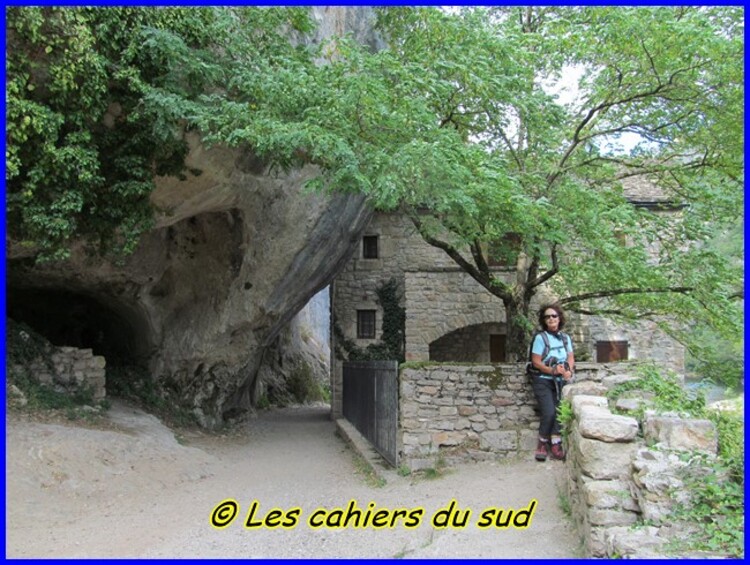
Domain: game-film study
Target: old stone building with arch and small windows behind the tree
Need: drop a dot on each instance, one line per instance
(450, 317)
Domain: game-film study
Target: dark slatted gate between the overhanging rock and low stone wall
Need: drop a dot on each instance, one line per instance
(370, 403)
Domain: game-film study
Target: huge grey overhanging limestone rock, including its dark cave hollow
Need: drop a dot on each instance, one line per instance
(237, 251)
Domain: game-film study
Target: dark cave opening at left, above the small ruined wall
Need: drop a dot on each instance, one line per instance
(65, 318)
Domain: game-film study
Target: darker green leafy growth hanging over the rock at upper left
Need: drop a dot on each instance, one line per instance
(98, 100)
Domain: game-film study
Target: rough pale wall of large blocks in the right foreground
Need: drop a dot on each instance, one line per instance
(618, 477)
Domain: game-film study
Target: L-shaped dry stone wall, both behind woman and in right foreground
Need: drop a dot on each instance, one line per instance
(621, 471)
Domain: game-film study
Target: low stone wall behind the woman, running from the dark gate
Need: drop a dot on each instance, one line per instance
(471, 412)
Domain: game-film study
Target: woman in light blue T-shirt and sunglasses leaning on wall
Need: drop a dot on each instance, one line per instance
(552, 366)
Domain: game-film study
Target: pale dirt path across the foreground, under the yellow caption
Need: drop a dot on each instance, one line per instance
(135, 491)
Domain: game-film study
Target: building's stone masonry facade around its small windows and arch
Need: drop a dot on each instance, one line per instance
(440, 298)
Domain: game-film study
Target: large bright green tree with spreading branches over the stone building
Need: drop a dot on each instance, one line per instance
(452, 125)
